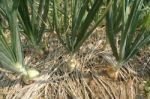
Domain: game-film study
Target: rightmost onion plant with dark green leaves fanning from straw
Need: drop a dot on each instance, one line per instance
(122, 22)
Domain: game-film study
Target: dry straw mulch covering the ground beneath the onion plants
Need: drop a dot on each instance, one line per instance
(92, 79)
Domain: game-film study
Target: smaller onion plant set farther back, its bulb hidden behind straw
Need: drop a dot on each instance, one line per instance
(33, 21)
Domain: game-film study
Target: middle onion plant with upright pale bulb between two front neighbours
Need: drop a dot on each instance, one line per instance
(74, 22)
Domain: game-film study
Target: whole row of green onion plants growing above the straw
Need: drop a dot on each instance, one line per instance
(74, 21)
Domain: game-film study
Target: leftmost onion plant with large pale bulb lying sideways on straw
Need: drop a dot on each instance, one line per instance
(11, 56)
